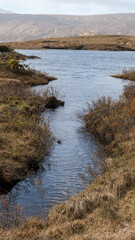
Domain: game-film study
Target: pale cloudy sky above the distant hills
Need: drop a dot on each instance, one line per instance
(77, 7)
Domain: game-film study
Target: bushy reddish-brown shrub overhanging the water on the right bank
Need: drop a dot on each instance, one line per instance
(112, 122)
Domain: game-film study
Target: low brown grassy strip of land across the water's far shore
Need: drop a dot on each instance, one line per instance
(95, 42)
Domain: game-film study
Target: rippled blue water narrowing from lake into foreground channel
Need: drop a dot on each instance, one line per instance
(82, 76)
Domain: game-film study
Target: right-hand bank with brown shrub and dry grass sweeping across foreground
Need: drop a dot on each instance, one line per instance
(106, 209)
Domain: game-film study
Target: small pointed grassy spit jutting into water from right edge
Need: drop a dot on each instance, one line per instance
(126, 74)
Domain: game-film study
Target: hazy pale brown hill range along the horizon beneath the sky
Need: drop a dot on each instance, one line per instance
(22, 27)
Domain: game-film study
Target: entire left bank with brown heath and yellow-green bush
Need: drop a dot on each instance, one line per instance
(24, 138)
